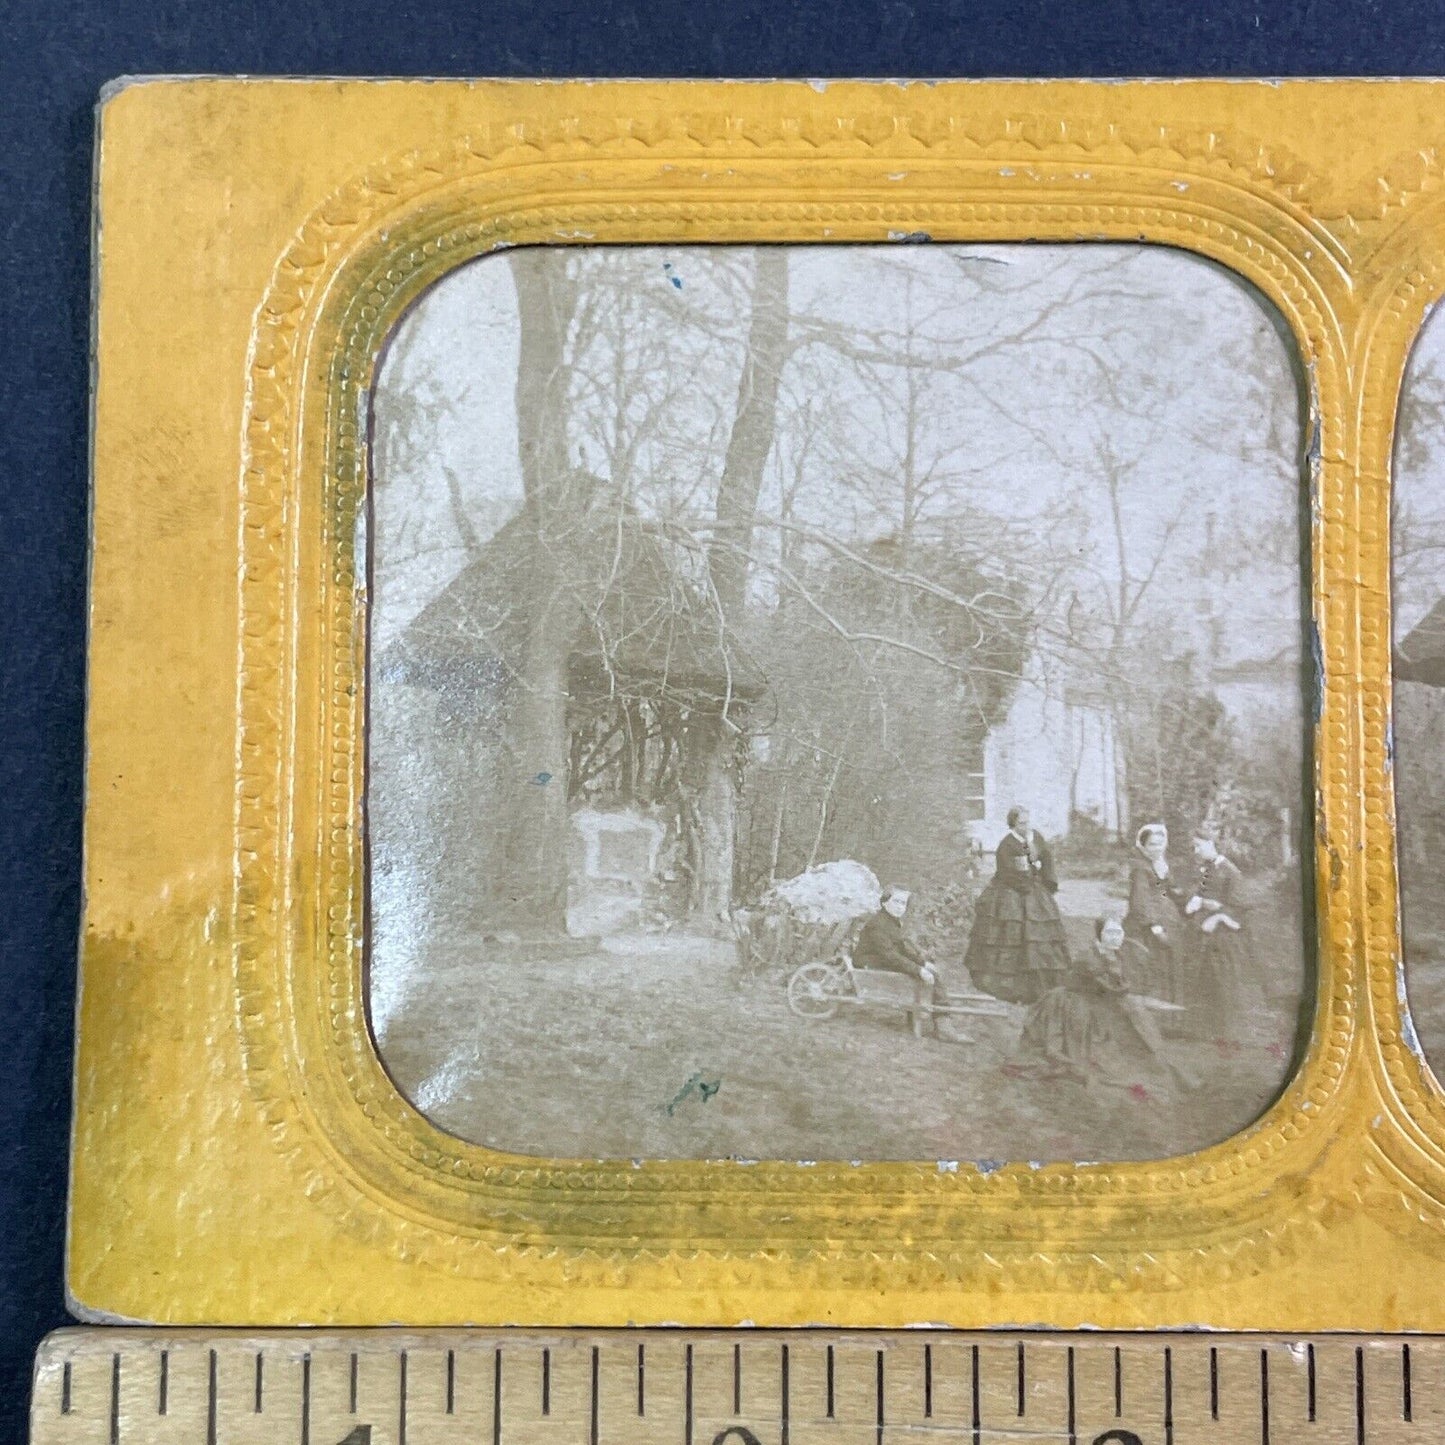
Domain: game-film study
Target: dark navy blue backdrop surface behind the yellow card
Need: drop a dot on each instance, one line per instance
(54, 57)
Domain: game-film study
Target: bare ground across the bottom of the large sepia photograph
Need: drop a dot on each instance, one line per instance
(657, 1050)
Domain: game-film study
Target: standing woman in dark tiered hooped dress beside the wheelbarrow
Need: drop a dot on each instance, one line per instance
(1018, 950)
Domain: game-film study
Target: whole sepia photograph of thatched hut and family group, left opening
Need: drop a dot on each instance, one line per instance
(849, 703)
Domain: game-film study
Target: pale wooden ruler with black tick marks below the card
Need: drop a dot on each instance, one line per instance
(122, 1386)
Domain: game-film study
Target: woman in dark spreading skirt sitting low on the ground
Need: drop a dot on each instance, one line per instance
(1092, 1030)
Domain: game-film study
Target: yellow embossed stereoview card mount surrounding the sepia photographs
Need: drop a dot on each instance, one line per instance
(241, 1157)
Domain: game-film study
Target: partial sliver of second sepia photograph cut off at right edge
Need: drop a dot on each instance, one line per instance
(1418, 561)
